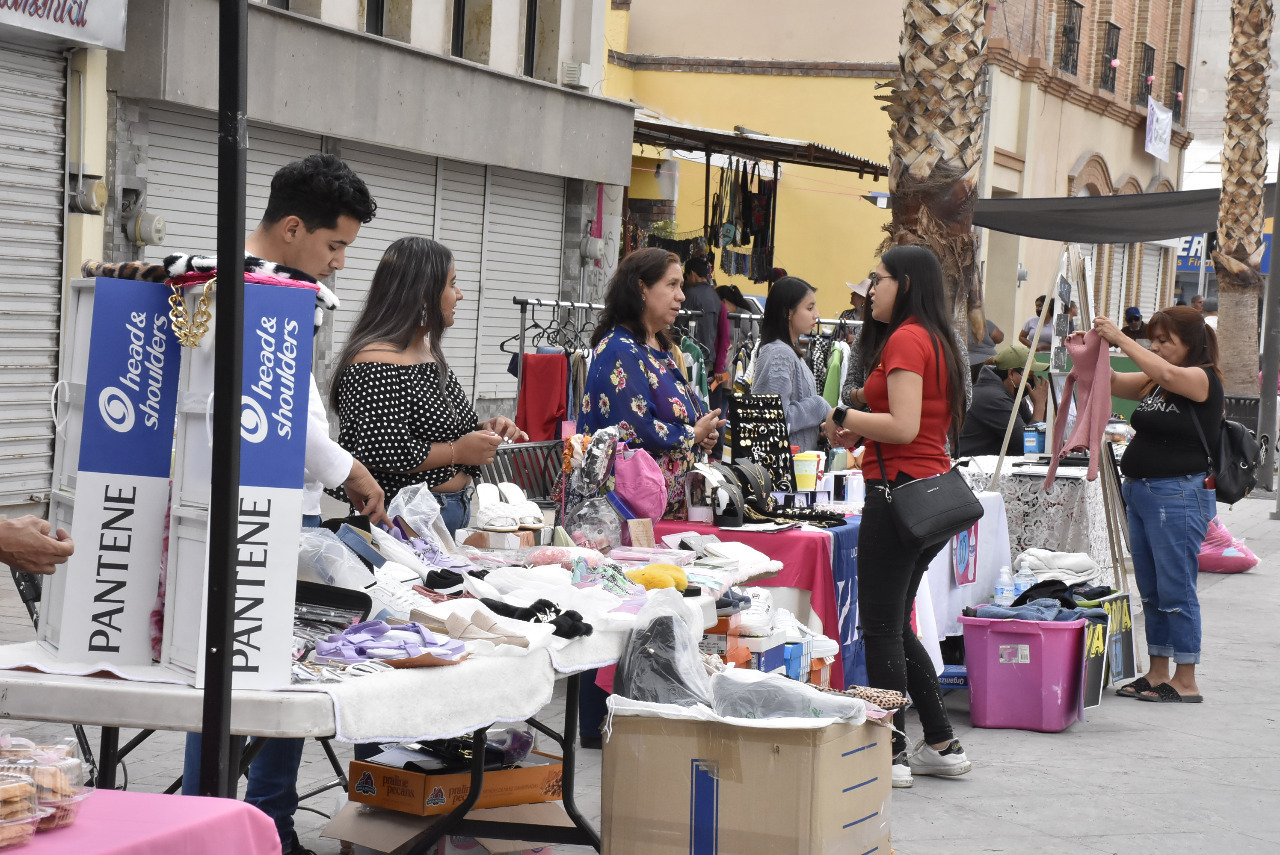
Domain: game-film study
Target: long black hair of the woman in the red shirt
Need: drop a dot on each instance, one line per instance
(921, 295)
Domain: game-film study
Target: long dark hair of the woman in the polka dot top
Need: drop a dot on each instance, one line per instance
(404, 296)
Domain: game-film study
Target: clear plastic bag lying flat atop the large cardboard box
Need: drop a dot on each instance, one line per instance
(751, 694)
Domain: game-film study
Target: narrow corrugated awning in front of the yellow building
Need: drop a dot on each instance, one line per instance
(669, 135)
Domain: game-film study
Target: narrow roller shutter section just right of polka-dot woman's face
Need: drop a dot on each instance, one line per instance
(460, 209)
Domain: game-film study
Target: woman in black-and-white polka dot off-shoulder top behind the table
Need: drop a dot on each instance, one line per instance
(401, 410)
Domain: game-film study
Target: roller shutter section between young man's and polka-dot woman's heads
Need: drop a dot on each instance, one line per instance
(404, 186)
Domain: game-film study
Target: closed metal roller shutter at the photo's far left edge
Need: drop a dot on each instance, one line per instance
(33, 200)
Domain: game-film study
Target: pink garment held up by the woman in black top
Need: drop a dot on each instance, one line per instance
(1091, 380)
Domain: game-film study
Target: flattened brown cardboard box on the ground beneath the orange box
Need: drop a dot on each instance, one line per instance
(387, 831)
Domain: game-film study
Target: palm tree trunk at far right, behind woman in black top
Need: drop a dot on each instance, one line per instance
(1238, 259)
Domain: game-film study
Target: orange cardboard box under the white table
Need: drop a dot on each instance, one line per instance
(427, 795)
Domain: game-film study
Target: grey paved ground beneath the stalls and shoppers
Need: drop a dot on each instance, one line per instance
(1133, 779)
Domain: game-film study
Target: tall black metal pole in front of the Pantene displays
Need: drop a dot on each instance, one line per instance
(216, 776)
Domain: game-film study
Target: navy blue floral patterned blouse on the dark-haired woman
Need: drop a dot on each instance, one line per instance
(642, 391)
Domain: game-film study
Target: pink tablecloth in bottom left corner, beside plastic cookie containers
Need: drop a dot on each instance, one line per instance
(145, 824)
